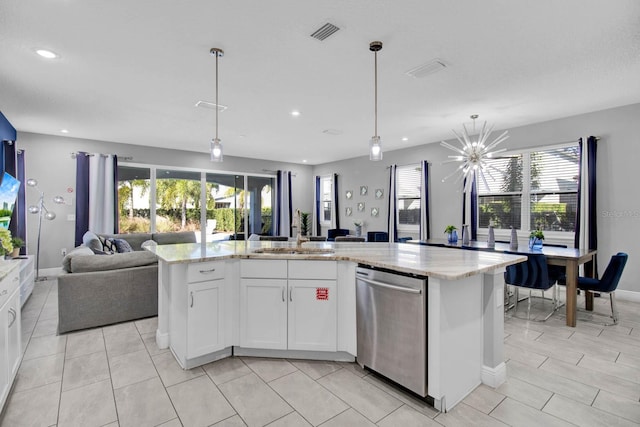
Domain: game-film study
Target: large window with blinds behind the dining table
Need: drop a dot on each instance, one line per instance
(531, 190)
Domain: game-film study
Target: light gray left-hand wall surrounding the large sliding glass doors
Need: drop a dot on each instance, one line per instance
(48, 159)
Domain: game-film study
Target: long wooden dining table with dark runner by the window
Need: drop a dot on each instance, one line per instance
(570, 258)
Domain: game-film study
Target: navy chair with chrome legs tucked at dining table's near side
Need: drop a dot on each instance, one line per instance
(532, 274)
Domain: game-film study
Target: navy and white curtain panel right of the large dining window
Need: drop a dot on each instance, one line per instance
(586, 234)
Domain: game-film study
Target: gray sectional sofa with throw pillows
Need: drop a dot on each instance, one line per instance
(97, 290)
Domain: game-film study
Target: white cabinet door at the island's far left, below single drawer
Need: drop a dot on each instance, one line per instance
(205, 319)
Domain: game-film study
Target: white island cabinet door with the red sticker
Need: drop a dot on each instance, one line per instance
(312, 315)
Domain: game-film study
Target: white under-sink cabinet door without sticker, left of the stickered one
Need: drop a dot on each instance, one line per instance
(263, 313)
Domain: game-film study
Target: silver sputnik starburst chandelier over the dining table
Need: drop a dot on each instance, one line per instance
(473, 155)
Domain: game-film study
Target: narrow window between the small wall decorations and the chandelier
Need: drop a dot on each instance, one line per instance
(408, 197)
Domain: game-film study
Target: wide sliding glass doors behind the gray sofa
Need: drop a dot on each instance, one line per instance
(157, 199)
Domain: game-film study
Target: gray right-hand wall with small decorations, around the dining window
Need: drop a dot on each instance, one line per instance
(617, 201)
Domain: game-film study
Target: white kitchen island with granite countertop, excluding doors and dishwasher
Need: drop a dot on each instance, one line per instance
(464, 294)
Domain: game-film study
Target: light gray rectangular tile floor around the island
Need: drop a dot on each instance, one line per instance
(116, 376)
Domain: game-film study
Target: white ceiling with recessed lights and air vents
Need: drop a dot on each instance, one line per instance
(131, 71)
